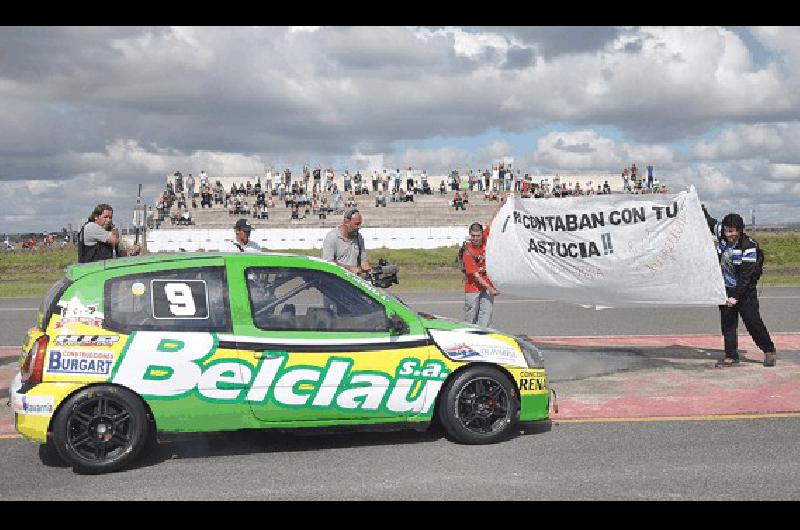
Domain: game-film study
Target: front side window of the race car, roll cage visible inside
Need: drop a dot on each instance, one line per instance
(310, 300)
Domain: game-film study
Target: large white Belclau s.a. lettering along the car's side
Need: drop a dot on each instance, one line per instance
(173, 367)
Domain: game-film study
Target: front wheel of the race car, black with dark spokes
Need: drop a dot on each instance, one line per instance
(479, 406)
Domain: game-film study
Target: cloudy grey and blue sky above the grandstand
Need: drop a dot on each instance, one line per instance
(89, 113)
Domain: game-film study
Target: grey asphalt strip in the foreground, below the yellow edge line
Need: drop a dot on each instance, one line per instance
(753, 459)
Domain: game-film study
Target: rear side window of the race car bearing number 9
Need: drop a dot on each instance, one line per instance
(176, 300)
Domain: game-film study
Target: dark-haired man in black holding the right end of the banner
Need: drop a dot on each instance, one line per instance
(741, 267)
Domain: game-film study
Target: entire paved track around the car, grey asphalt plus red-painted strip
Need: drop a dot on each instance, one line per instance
(643, 414)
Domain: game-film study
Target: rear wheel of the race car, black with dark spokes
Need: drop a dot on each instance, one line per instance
(101, 429)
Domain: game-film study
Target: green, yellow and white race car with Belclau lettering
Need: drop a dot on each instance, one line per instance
(128, 350)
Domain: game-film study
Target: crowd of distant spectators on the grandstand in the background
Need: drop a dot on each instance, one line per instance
(317, 194)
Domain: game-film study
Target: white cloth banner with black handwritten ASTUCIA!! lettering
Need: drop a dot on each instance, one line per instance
(606, 251)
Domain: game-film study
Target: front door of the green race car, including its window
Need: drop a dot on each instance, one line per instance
(323, 349)
